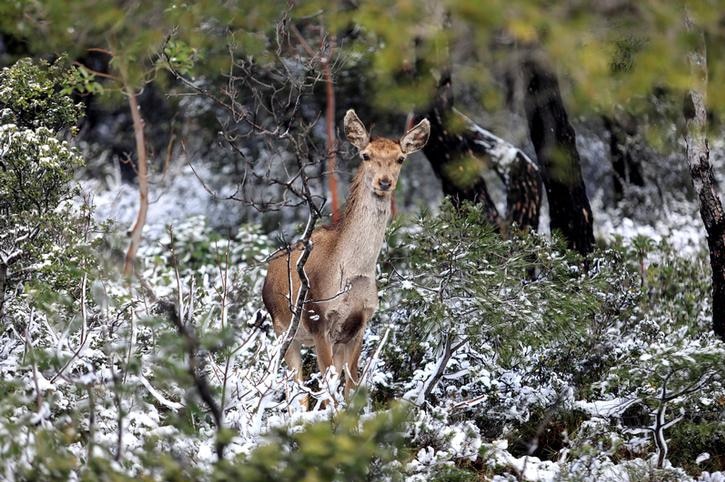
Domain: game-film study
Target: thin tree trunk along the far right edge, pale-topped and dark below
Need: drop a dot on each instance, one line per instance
(698, 158)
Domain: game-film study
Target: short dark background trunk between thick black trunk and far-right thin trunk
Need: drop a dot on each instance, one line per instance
(627, 170)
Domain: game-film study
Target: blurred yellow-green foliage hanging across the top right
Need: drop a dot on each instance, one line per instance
(605, 57)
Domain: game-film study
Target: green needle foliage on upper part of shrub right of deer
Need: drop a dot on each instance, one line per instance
(468, 282)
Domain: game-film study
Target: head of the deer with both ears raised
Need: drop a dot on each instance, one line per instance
(383, 158)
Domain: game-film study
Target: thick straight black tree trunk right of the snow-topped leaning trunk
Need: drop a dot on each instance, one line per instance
(555, 144)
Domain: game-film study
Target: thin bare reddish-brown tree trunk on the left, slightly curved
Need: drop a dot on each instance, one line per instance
(143, 182)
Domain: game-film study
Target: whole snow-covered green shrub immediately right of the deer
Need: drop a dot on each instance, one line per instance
(503, 315)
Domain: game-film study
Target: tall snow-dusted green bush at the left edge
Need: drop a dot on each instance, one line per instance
(36, 170)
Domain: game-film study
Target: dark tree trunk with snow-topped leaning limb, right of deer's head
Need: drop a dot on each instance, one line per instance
(445, 150)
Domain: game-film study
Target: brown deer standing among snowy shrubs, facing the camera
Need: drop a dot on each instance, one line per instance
(340, 269)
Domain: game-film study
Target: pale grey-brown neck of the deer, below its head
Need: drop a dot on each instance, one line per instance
(362, 229)
